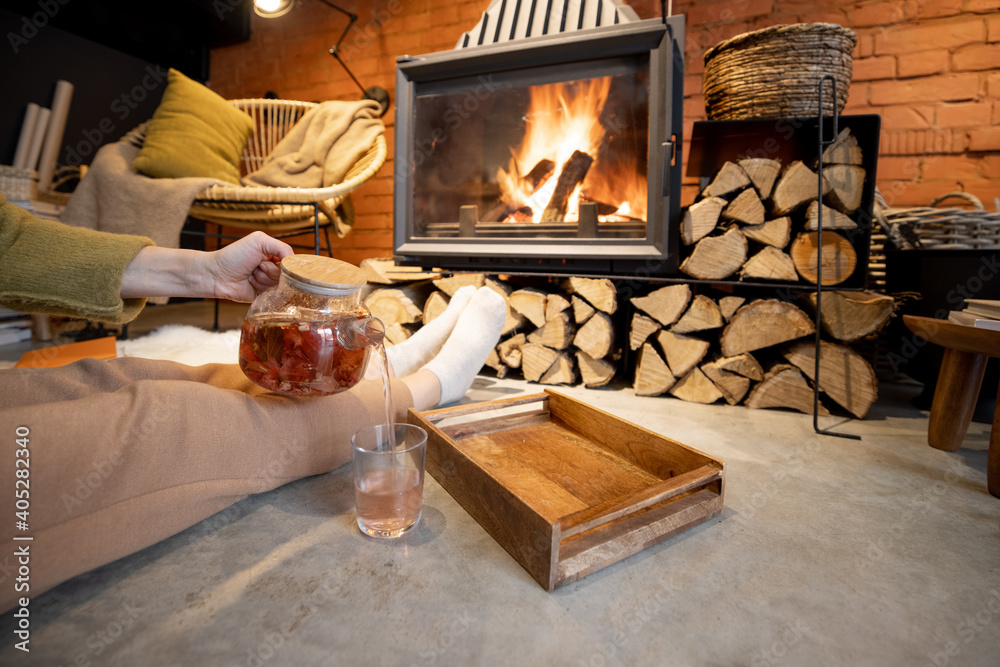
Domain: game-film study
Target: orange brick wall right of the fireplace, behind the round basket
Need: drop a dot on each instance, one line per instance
(930, 68)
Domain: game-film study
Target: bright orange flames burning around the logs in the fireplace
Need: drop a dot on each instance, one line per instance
(562, 128)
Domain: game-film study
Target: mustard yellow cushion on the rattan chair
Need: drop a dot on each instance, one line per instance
(194, 133)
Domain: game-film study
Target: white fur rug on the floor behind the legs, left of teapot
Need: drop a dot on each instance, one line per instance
(185, 344)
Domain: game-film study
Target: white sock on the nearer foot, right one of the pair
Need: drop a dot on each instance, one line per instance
(476, 333)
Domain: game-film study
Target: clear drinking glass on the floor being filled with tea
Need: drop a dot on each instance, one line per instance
(388, 478)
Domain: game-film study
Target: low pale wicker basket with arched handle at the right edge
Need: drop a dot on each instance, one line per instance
(949, 228)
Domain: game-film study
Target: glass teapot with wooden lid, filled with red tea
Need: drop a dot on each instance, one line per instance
(309, 335)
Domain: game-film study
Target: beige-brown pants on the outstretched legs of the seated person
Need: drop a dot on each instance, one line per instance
(126, 452)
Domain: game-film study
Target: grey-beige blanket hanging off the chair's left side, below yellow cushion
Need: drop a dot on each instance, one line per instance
(113, 197)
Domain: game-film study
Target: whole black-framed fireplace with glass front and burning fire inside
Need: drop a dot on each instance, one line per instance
(550, 154)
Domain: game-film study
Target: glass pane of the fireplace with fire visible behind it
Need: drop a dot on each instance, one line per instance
(522, 160)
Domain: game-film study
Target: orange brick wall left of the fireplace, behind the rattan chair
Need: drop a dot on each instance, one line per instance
(288, 55)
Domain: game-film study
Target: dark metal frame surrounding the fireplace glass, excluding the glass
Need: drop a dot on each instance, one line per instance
(662, 42)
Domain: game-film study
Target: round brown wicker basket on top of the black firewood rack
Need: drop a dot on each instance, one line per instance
(775, 72)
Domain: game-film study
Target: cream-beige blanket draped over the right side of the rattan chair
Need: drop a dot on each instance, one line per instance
(322, 147)
